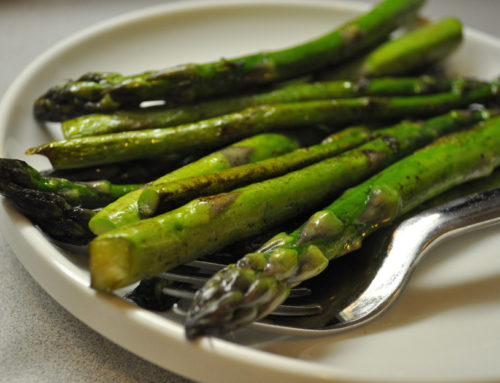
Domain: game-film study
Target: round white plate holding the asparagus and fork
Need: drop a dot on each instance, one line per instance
(444, 327)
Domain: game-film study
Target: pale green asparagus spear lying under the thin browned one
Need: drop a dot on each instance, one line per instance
(125, 210)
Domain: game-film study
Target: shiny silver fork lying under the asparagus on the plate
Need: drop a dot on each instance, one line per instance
(359, 287)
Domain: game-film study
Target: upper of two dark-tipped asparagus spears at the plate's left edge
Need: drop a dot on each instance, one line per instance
(86, 194)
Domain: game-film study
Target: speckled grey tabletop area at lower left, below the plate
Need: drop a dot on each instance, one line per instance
(41, 342)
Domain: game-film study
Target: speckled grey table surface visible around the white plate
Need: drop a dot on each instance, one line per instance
(39, 340)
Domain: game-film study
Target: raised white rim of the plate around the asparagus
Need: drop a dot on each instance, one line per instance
(26, 240)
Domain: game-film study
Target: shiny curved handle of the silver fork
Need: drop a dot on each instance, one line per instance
(410, 241)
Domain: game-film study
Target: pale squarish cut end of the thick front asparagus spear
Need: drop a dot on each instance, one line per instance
(109, 263)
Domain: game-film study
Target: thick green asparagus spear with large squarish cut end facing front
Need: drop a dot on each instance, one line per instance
(136, 251)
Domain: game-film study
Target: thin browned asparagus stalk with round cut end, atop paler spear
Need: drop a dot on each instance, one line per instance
(161, 197)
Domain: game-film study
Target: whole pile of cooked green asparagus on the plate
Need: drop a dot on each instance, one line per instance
(348, 125)
